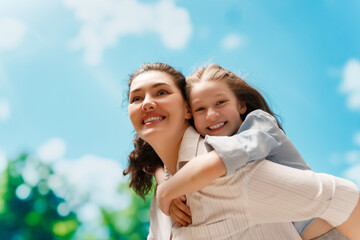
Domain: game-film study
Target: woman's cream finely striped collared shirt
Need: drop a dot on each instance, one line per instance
(258, 201)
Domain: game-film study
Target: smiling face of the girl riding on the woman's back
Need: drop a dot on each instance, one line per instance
(215, 108)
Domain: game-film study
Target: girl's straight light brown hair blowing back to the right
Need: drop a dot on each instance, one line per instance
(243, 91)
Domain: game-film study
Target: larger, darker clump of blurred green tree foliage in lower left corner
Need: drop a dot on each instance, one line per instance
(31, 212)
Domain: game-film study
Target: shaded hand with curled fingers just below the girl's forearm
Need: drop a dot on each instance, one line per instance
(179, 212)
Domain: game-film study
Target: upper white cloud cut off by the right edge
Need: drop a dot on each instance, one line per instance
(351, 83)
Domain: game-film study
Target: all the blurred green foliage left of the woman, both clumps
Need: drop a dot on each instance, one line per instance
(31, 210)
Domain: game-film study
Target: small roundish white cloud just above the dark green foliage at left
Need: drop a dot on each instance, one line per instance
(52, 150)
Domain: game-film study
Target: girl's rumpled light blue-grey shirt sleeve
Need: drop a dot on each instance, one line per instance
(259, 136)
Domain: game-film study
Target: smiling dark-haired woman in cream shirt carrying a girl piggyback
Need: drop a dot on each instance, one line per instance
(243, 205)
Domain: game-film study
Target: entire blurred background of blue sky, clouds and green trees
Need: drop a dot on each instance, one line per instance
(64, 65)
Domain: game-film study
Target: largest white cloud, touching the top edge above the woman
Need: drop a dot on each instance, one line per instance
(106, 21)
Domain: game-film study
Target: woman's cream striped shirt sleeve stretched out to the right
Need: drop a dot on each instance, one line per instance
(278, 193)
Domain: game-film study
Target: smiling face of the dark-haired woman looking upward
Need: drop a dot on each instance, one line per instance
(157, 108)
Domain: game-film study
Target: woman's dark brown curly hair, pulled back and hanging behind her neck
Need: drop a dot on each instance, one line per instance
(143, 160)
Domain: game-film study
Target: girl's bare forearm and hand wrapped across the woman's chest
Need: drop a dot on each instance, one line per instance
(195, 175)
